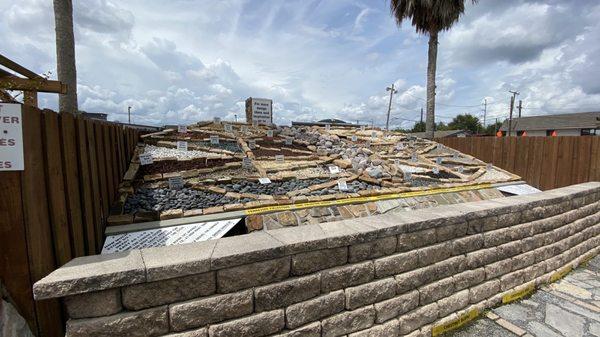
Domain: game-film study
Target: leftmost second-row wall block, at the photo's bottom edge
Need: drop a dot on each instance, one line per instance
(145, 323)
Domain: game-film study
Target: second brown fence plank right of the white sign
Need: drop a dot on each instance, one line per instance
(56, 190)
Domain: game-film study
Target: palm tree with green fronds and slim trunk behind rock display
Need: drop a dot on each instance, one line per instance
(429, 17)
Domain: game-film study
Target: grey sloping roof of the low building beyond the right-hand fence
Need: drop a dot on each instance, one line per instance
(581, 120)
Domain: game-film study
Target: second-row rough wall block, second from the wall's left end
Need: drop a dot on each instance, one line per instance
(198, 313)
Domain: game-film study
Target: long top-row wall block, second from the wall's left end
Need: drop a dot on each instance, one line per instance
(152, 294)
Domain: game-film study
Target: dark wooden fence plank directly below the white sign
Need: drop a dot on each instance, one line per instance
(14, 262)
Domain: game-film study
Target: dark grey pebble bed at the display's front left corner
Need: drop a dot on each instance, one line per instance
(162, 199)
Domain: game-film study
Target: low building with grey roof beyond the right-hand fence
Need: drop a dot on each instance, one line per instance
(573, 124)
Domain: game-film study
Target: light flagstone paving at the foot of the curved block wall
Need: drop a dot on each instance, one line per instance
(569, 308)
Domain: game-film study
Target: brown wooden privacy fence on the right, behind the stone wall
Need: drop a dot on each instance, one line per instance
(544, 162)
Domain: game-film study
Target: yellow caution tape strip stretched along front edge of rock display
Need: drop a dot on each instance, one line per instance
(279, 208)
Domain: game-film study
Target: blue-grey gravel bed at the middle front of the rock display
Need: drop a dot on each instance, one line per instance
(274, 188)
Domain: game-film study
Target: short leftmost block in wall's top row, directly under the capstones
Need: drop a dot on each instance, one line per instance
(95, 304)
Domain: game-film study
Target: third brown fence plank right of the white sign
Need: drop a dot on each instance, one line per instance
(71, 179)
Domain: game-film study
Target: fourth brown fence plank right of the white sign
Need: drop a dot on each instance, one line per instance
(85, 187)
